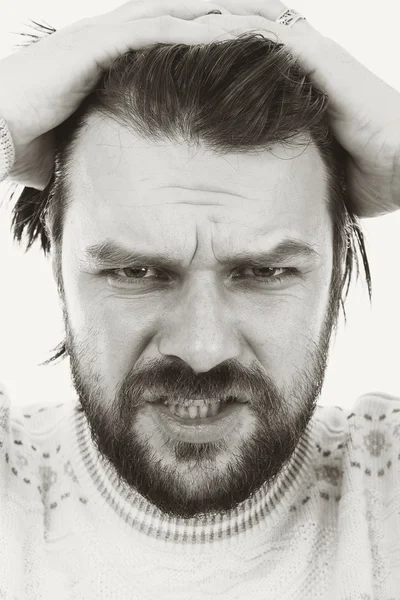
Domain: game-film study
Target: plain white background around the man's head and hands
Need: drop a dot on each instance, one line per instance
(365, 357)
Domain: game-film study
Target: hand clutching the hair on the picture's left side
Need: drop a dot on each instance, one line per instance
(43, 84)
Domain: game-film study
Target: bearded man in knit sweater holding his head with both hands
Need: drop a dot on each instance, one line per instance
(200, 203)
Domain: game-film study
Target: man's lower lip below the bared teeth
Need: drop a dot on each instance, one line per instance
(199, 431)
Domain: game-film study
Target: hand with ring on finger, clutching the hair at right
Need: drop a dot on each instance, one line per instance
(364, 111)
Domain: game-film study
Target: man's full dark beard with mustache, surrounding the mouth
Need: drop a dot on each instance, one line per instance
(185, 479)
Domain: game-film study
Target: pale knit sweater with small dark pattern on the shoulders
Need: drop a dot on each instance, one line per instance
(329, 527)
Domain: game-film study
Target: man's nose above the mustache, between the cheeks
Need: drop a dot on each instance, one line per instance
(201, 330)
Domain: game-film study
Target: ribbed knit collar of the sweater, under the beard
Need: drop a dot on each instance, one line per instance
(140, 514)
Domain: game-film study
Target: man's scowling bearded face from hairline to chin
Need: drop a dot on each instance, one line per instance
(239, 311)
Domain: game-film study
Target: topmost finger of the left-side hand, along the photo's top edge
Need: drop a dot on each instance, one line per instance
(143, 9)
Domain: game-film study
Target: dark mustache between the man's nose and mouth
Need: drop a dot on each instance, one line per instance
(160, 380)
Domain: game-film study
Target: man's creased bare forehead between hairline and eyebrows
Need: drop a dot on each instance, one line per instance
(126, 188)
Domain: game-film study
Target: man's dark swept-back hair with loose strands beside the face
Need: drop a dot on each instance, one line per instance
(240, 95)
